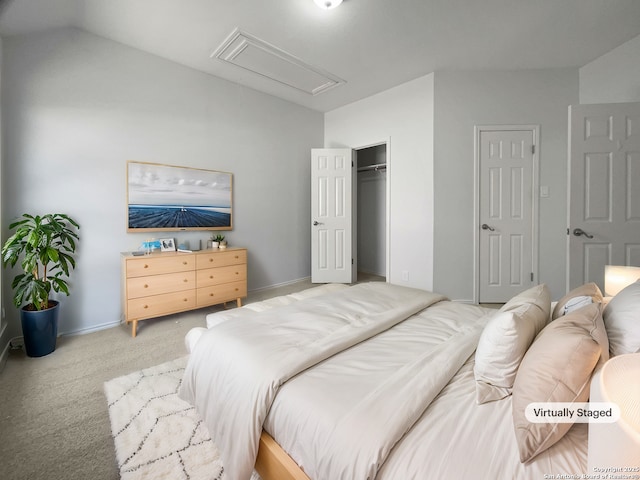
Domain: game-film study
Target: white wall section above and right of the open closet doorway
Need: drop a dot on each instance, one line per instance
(403, 116)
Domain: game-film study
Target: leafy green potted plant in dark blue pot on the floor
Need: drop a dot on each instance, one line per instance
(45, 246)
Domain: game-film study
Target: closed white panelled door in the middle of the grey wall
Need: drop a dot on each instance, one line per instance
(507, 184)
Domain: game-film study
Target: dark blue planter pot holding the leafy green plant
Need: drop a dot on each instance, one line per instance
(40, 330)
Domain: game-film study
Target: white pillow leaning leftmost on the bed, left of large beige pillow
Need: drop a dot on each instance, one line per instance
(505, 340)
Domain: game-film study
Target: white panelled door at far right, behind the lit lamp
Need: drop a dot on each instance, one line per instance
(604, 184)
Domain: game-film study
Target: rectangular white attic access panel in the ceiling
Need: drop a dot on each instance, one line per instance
(258, 56)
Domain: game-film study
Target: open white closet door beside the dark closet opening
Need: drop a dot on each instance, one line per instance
(332, 236)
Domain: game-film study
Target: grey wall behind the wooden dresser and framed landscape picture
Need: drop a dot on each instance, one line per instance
(77, 107)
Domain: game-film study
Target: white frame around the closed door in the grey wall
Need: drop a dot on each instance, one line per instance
(535, 204)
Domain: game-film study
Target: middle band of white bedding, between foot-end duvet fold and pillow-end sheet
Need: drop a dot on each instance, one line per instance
(341, 419)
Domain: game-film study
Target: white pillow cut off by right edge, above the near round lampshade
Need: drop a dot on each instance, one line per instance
(622, 320)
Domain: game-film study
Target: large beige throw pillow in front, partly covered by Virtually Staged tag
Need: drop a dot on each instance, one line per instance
(557, 368)
